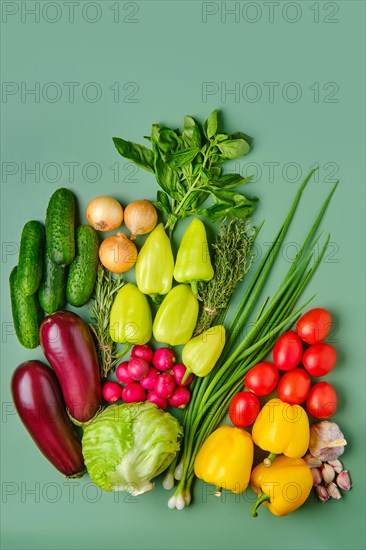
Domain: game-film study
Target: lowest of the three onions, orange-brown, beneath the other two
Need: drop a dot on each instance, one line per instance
(117, 253)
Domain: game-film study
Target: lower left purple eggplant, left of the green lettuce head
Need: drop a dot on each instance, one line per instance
(39, 402)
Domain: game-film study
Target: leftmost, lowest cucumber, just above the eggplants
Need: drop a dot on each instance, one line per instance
(26, 313)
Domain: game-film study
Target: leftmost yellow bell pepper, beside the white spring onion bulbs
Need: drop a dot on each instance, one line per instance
(225, 459)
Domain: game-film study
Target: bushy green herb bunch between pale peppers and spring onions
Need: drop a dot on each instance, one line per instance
(232, 259)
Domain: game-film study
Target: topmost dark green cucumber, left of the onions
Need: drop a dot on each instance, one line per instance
(60, 227)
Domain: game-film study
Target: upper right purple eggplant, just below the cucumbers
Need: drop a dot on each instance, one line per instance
(68, 345)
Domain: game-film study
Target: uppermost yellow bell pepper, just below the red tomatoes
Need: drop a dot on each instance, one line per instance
(281, 428)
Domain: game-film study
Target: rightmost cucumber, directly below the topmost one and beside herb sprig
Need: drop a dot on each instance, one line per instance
(83, 270)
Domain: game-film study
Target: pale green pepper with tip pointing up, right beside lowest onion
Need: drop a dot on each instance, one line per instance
(155, 264)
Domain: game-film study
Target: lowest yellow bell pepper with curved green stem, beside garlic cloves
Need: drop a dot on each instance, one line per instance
(283, 487)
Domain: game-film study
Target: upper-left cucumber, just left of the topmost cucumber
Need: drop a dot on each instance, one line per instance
(31, 257)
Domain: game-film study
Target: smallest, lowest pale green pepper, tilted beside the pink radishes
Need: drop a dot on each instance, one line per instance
(201, 353)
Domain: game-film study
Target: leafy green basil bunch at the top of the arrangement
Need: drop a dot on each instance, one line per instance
(187, 168)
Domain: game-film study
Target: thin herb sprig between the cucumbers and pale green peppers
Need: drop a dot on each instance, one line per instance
(104, 293)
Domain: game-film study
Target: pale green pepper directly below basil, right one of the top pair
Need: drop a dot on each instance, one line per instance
(193, 261)
